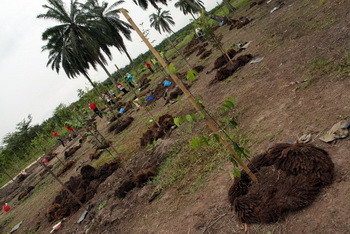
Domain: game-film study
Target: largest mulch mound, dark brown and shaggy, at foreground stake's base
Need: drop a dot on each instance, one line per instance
(290, 176)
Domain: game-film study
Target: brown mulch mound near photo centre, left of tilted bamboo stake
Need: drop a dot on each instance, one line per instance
(154, 132)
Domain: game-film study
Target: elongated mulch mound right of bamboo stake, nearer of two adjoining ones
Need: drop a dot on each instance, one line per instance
(230, 68)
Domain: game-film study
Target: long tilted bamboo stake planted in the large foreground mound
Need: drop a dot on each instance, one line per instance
(211, 124)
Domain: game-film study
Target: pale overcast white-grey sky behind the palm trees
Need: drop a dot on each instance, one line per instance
(28, 86)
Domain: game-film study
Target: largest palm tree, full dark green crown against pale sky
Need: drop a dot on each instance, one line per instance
(74, 43)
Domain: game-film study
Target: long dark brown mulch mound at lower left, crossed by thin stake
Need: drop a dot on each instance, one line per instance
(83, 186)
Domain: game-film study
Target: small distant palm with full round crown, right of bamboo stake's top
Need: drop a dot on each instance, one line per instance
(162, 21)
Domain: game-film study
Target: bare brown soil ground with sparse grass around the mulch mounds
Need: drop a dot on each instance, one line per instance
(300, 87)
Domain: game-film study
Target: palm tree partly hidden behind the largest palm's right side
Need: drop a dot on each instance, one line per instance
(106, 17)
